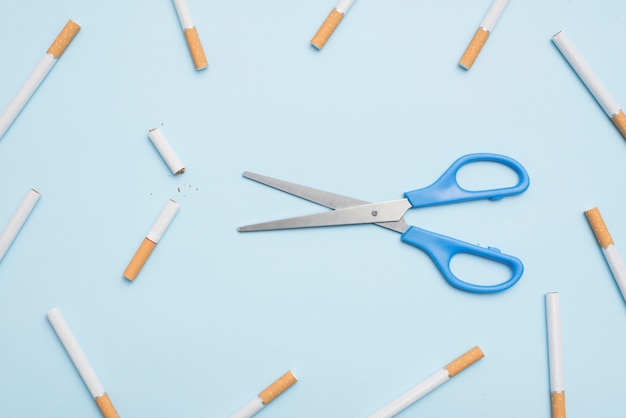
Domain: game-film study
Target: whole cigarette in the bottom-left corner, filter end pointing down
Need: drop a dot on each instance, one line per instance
(76, 354)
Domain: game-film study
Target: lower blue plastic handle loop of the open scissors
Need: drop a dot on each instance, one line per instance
(442, 248)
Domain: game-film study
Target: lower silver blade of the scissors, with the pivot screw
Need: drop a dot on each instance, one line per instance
(362, 214)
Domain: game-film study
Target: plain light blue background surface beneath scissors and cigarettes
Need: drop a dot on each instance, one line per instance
(215, 315)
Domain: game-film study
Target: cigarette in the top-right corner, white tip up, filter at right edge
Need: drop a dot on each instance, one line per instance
(597, 89)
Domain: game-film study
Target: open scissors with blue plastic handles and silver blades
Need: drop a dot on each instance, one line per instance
(441, 249)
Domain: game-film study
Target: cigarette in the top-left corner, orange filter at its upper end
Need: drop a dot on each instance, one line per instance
(33, 81)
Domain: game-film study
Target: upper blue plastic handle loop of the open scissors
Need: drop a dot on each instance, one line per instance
(447, 189)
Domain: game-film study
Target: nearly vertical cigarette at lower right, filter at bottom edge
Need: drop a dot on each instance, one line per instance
(555, 354)
